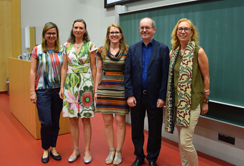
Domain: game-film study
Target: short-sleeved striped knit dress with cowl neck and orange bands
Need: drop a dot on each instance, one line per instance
(111, 92)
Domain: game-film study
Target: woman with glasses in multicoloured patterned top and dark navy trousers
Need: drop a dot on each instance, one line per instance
(46, 63)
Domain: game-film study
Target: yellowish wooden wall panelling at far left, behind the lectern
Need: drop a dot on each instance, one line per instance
(10, 38)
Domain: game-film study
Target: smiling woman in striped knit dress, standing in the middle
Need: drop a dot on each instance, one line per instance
(109, 89)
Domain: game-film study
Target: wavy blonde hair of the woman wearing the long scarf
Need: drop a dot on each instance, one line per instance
(175, 41)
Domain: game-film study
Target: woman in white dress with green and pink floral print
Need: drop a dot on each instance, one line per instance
(78, 74)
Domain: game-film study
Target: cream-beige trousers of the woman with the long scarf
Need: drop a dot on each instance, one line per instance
(187, 150)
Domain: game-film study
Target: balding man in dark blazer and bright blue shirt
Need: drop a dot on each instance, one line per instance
(146, 74)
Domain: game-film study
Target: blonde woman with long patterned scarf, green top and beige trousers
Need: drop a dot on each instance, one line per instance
(188, 88)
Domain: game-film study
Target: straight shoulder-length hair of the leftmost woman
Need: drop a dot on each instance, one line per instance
(46, 27)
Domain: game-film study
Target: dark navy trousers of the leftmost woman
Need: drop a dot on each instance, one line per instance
(49, 106)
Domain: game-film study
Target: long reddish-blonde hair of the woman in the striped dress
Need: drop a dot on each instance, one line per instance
(122, 42)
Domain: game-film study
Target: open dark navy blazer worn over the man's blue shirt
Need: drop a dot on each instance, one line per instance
(157, 74)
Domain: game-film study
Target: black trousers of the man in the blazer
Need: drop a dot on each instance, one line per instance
(155, 119)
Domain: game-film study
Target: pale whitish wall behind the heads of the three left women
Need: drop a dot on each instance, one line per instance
(35, 13)
